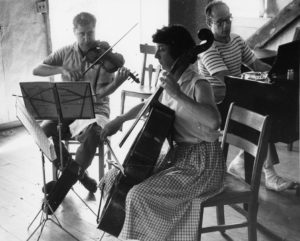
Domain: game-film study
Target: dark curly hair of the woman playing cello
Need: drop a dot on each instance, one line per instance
(177, 37)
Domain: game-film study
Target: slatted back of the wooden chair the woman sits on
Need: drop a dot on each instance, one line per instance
(249, 131)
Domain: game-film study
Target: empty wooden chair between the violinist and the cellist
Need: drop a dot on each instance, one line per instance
(143, 90)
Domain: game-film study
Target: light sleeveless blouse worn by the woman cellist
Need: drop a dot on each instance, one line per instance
(187, 129)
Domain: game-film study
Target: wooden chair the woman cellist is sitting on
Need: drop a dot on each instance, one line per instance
(238, 191)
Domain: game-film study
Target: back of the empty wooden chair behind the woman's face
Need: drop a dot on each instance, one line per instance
(146, 50)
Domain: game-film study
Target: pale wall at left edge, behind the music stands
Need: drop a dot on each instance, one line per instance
(22, 46)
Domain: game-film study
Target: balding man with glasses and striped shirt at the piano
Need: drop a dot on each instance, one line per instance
(228, 52)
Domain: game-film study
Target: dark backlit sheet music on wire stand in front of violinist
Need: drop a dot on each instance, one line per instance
(62, 100)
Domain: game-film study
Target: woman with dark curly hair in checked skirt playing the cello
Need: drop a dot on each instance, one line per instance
(160, 207)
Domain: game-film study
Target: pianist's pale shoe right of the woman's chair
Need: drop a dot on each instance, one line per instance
(275, 182)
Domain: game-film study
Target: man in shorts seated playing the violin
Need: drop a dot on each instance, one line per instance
(71, 62)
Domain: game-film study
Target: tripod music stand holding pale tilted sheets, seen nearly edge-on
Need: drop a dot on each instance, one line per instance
(47, 149)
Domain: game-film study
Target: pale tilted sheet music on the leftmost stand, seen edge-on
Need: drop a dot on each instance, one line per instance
(35, 131)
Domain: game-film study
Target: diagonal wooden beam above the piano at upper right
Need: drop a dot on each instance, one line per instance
(269, 30)
